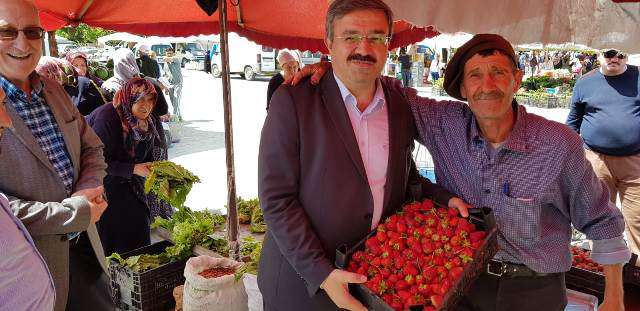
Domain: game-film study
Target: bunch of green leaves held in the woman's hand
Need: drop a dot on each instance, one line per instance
(170, 182)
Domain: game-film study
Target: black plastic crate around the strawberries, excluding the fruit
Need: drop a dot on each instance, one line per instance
(481, 217)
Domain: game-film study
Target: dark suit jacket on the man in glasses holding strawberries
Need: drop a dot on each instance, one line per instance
(314, 190)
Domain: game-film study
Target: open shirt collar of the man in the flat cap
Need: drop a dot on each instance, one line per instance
(517, 139)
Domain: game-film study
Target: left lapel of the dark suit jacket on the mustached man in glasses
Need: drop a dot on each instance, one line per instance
(340, 118)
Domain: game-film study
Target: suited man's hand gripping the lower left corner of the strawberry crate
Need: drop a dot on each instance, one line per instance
(336, 286)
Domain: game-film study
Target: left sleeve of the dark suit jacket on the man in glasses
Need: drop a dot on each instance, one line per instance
(279, 184)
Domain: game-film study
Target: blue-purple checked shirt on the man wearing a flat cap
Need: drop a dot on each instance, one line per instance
(538, 184)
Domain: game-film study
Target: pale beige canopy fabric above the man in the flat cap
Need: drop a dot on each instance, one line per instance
(594, 23)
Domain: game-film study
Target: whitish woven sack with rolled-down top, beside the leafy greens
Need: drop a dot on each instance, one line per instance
(222, 293)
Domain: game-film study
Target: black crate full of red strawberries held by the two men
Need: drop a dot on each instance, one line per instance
(421, 258)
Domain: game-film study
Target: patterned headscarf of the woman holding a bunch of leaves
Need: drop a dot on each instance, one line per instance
(130, 93)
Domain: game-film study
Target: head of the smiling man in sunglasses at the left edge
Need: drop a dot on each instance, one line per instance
(19, 56)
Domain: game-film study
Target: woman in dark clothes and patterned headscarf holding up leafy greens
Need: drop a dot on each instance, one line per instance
(131, 142)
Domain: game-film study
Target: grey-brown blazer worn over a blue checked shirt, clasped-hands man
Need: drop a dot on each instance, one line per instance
(37, 195)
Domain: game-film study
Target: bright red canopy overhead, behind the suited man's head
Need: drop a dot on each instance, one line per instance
(280, 24)
